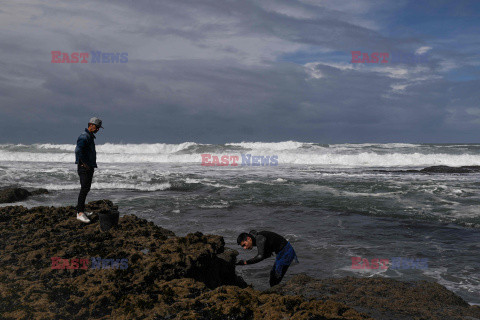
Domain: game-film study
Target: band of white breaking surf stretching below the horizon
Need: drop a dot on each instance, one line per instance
(289, 152)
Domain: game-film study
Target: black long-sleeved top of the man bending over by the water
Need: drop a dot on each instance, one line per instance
(267, 243)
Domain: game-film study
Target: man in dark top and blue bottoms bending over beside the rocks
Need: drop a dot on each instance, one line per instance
(268, 242)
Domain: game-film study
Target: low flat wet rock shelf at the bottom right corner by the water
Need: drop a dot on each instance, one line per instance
(383, 298)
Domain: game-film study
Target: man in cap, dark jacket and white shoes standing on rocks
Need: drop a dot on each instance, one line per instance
(86, 158)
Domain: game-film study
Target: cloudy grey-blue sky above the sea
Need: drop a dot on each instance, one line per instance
(219, 71)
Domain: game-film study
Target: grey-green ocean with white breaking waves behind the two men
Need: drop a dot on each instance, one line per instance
(332, 202)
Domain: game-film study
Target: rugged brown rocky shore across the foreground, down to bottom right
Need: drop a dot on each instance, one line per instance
(170, 277)
